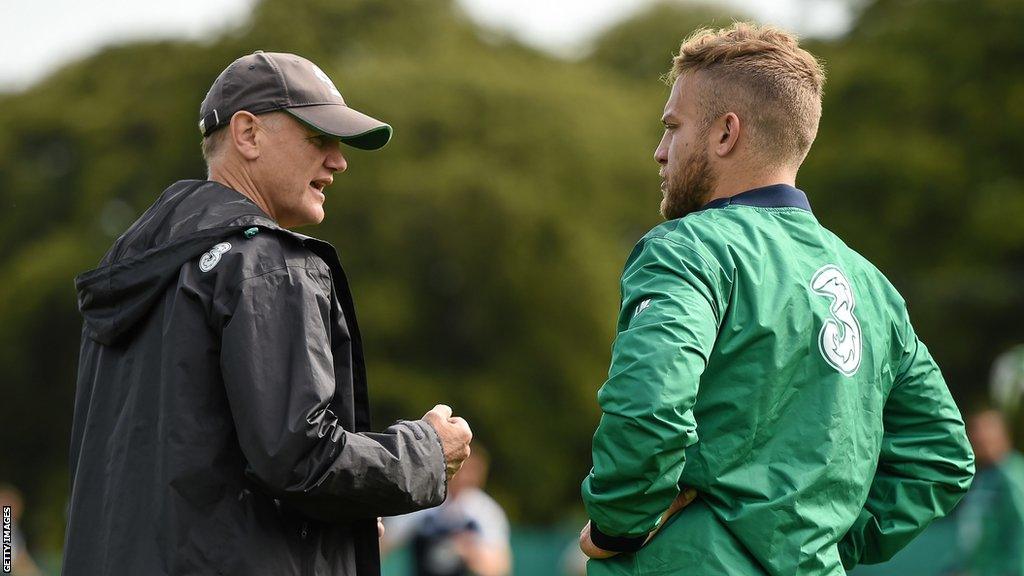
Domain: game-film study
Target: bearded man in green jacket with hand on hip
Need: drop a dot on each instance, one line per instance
(760, 364)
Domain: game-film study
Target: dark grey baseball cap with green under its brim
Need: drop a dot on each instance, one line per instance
(265, 83)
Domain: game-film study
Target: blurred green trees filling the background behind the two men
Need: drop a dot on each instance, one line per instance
(486, 242)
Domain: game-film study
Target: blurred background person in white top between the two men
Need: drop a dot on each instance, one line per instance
(466, 536)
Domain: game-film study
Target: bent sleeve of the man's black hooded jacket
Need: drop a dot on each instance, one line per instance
(279, 373)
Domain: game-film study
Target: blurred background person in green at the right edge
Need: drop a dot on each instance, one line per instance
(991, 520)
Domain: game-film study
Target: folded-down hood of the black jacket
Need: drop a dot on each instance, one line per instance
(187, 220)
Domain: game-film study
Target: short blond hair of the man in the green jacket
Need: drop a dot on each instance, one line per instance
(761, 74)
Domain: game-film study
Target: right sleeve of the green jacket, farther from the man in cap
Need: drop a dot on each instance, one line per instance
(925, 467)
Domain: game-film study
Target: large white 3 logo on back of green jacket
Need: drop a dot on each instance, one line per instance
(840, 341)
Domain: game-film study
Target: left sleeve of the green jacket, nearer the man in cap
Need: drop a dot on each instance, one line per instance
(667, 328)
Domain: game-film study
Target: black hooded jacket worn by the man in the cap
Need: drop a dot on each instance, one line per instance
(222, 421)
